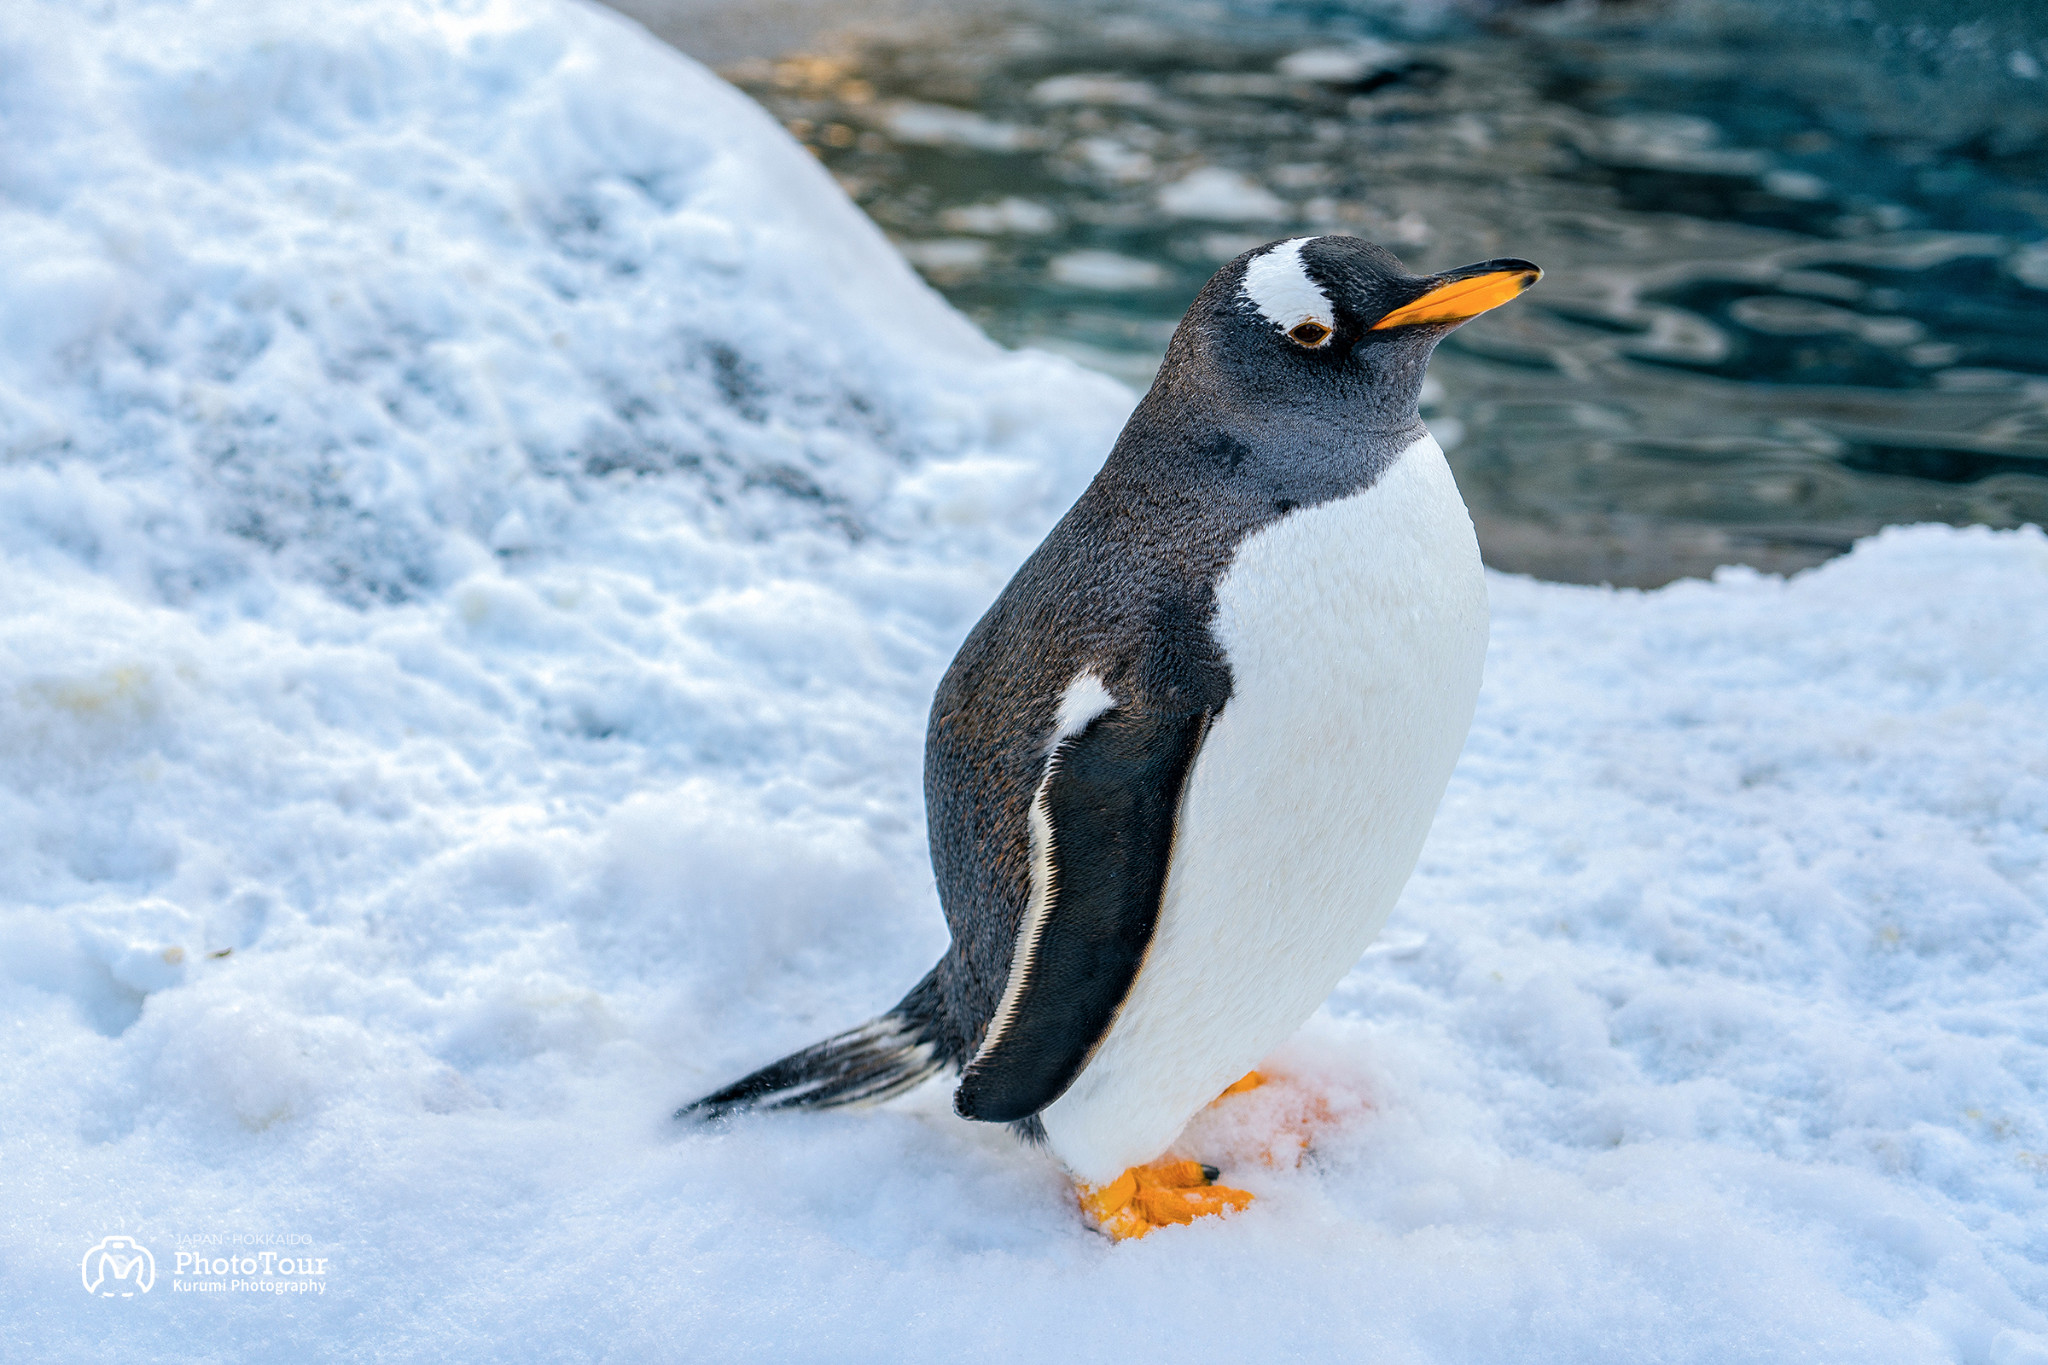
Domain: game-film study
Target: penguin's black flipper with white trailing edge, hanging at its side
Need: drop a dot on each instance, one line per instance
(1103, 838)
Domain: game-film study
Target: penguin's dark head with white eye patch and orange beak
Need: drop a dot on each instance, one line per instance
(1330, 326)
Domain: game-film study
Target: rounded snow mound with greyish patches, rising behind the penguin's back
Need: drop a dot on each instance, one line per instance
(417, 285)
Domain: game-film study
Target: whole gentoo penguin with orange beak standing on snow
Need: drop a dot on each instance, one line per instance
(1183, 768)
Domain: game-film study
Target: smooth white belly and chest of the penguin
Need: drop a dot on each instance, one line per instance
(1357, 633)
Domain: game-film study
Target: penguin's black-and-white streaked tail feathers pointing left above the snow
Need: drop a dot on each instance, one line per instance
(880, 1059)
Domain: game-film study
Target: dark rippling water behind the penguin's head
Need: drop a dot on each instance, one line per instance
(1797, 255)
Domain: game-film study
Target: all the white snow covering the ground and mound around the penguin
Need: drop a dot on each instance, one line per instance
(482, 519)
